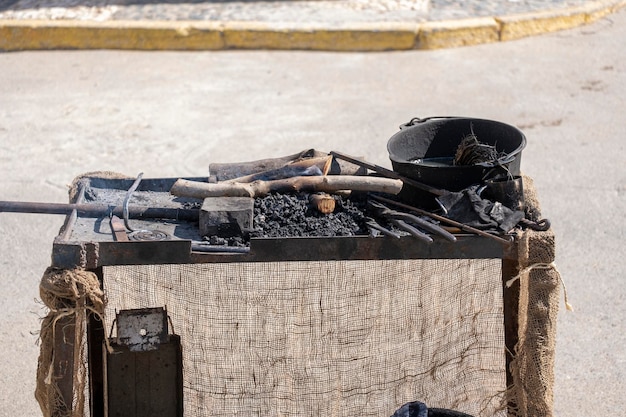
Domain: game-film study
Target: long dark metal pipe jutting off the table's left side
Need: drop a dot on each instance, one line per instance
(97, 210)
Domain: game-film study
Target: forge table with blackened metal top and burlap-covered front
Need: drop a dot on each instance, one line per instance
(310, 326)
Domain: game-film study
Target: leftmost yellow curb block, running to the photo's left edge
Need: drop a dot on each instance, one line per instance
(64, 34)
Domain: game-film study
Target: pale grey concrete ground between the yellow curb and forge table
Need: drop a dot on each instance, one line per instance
(171, 113)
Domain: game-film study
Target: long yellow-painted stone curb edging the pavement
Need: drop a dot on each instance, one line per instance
(19, 35)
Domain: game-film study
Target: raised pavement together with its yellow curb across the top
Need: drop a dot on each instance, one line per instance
(337, 25)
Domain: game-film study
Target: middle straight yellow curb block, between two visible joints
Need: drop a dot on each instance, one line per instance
(361, 37)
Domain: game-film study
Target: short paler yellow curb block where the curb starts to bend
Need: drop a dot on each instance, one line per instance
(455, 33)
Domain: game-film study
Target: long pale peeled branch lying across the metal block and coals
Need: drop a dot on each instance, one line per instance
(329, 184)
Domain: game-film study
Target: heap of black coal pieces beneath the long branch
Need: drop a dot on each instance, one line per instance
(291, 215)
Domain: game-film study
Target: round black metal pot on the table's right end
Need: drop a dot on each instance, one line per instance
(423, 150)
